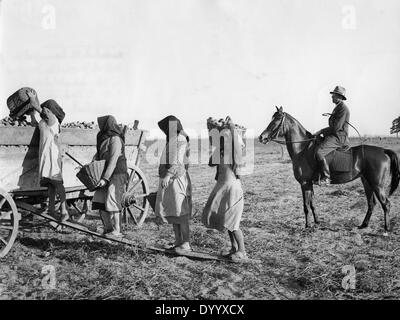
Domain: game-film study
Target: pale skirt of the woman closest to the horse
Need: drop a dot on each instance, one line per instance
(224, 206)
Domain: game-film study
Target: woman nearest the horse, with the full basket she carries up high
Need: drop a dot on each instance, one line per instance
(224, 207)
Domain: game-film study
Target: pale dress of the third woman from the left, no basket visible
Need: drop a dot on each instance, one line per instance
(174, 203)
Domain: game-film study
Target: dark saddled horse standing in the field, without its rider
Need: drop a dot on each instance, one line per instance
(370, 163)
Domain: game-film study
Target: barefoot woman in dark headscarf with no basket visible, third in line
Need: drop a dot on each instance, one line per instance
(174, 195)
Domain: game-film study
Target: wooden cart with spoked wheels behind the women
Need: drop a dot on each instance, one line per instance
(19, 191)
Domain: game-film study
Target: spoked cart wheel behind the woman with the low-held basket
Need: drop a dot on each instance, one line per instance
(134, 202)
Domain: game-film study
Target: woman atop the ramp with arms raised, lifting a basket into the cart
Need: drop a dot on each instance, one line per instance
(50, 161)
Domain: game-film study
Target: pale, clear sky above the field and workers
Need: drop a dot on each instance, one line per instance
(146, 59)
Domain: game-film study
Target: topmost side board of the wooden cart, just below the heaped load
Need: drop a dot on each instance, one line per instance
(29, 136)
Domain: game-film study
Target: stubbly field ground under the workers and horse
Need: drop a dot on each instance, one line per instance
(294, 263)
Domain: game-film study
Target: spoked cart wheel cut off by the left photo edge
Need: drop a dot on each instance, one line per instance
(9, 219)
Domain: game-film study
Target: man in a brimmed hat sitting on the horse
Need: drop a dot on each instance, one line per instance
(336, 135)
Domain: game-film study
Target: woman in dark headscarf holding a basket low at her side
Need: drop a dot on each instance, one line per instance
(107, 198)
